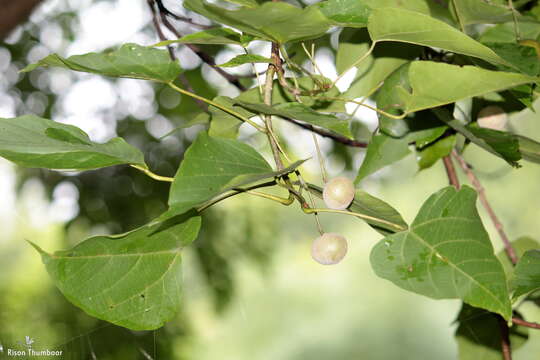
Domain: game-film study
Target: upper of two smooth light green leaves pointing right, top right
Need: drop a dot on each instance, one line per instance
(393, 24)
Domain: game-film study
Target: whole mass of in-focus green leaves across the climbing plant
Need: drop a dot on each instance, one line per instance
(429, 77)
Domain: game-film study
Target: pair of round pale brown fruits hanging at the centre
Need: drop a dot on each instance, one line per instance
(330, 248)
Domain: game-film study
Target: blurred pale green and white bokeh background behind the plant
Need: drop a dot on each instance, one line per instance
(251, 290)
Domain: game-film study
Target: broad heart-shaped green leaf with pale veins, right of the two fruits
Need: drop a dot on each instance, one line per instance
(446, 254)
